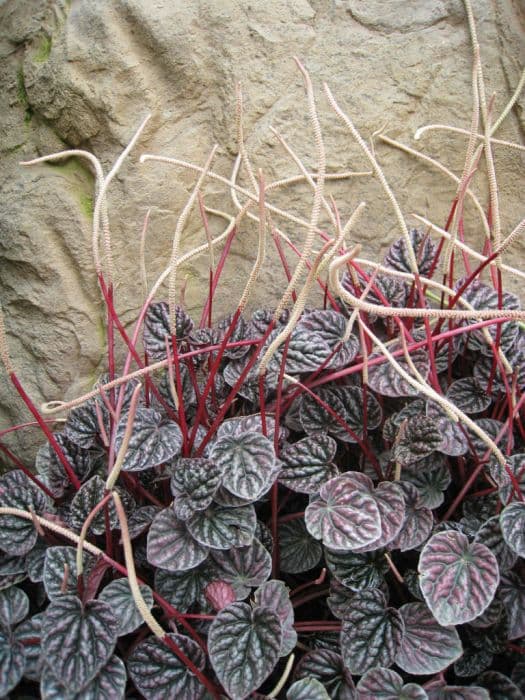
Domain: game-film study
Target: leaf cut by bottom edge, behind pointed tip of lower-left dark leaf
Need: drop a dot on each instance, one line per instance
(108, 684)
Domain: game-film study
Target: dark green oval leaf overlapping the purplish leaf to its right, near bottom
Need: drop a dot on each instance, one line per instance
(371, 633)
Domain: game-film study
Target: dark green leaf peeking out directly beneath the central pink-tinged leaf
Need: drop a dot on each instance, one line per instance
(357, 571)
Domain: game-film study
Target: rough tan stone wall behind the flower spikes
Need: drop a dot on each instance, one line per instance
(84, 74)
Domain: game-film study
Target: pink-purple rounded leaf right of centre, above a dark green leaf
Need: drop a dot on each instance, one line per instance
(344, 518)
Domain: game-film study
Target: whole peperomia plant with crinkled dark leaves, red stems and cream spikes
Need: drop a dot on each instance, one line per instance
(310, 502)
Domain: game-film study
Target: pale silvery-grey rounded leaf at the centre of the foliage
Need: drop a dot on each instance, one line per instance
(247, 461)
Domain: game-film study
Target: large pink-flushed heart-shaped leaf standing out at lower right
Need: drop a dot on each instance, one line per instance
(458, 579)
